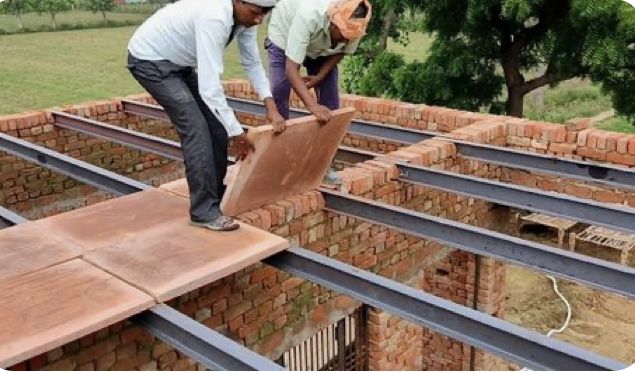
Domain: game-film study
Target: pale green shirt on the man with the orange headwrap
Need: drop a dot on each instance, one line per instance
(301, 28)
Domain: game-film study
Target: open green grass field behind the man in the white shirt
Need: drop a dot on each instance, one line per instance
(43, 70)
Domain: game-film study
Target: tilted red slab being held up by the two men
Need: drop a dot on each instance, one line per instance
(291, 163)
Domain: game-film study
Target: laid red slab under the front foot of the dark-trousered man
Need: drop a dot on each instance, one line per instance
(170, 259)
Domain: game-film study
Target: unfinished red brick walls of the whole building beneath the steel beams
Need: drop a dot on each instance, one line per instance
(271, 311)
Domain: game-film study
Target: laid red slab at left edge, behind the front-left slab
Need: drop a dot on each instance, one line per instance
(32, 246)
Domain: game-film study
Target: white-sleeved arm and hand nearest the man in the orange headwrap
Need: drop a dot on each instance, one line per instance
(251, 62)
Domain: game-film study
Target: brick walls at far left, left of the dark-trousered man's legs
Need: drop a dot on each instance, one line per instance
(38, 192)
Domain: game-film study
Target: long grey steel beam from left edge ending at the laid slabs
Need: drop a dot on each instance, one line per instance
(80, 170)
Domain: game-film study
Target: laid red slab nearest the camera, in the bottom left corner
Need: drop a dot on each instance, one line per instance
(45, 309)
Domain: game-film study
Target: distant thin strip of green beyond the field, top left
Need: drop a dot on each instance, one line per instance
(35, 21)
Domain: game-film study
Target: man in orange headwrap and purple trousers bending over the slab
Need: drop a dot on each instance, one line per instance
(316, 34)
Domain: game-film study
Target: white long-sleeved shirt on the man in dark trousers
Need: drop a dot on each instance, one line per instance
(195, 33)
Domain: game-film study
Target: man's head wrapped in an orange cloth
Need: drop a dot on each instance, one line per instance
(349, 19)
